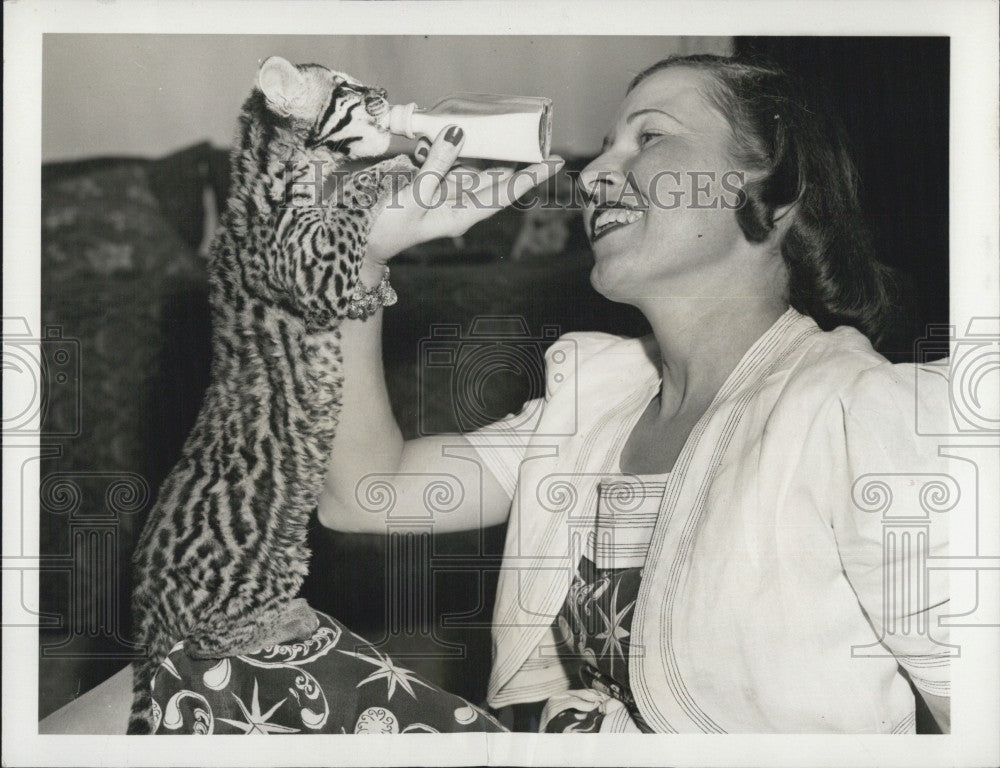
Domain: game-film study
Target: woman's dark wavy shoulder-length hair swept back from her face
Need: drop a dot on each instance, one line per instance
(801, 149)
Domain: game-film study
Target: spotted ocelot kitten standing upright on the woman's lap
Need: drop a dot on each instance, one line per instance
(223, 553)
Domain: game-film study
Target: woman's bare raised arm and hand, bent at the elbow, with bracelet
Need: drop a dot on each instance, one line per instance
(369, 442)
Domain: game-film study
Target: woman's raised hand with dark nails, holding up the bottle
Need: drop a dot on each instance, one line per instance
(445, 200)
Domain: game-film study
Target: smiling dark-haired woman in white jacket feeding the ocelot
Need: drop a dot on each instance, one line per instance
(686, 547)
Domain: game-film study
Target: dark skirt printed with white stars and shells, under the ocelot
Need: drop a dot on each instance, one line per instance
(335, 682)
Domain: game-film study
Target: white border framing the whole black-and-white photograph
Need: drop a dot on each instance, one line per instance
(974, 285)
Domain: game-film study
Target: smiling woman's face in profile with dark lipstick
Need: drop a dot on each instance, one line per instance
(660, 217)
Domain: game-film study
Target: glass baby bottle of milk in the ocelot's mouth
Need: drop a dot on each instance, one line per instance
(509, 128)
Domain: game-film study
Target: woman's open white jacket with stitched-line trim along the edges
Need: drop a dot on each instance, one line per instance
(785, 578)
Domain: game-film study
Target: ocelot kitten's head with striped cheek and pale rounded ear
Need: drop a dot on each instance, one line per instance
(328, 110)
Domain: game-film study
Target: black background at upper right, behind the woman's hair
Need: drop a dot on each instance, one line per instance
(891, 93)
